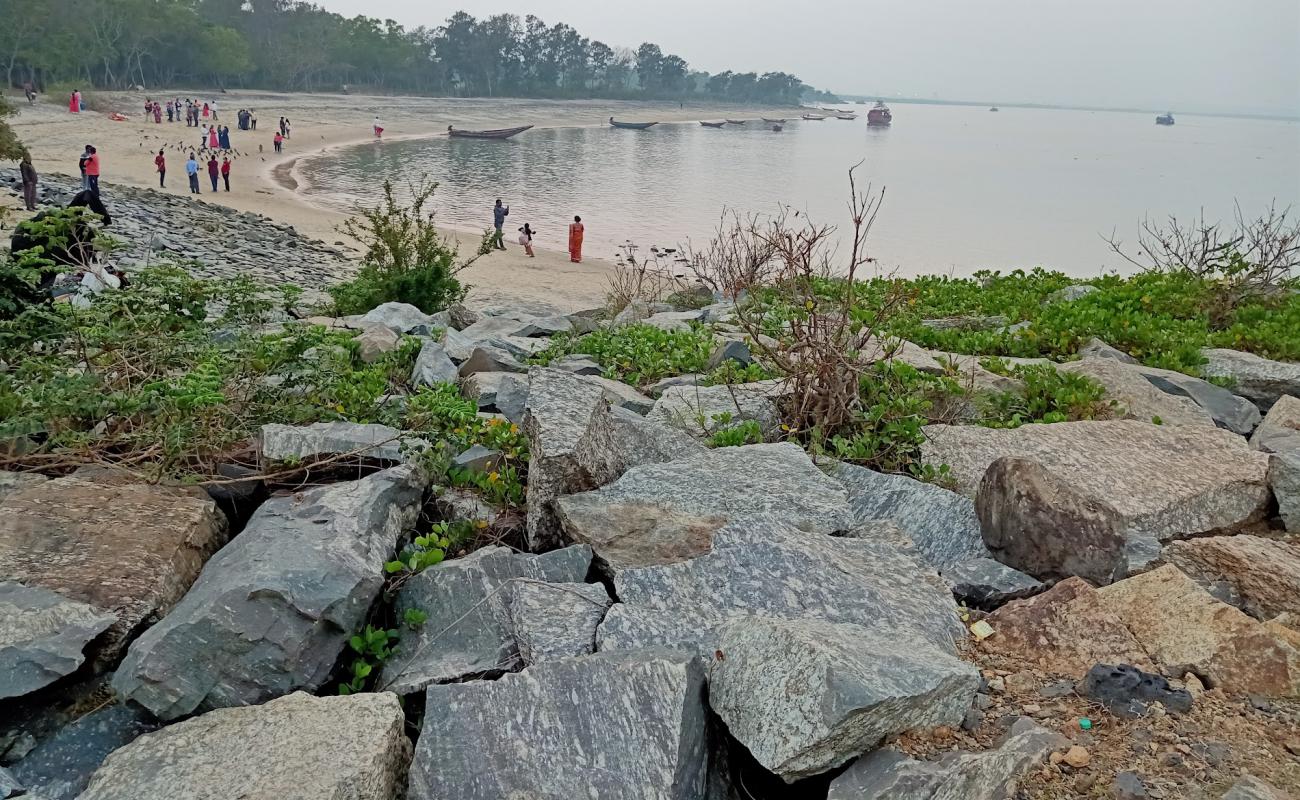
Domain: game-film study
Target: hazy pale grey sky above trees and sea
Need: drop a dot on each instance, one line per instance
(1215, 55)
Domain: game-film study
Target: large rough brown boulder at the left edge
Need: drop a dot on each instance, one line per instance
(131, 551)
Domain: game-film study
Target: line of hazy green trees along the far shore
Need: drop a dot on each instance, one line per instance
(296, 46)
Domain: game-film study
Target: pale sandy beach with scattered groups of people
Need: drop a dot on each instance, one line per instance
(266, 183)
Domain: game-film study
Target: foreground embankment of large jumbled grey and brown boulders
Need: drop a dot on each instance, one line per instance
(1095, 609)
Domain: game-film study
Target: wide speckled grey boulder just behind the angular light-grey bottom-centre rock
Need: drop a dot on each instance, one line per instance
(766, 567)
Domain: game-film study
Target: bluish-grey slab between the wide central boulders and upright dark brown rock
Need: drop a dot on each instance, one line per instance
(942, 525)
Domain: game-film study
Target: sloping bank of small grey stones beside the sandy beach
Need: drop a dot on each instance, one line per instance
(207, 239)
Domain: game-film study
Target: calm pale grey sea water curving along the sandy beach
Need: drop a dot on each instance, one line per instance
(967, 189)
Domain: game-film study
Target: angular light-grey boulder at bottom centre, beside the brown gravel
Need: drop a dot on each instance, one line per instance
(805, 697)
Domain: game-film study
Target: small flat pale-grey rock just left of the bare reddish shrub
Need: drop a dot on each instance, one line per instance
(700, 410)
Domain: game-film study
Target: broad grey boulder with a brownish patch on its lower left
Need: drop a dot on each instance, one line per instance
(666, 513)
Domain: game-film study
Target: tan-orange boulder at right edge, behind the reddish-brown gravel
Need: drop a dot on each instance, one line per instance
(1185, 629)
